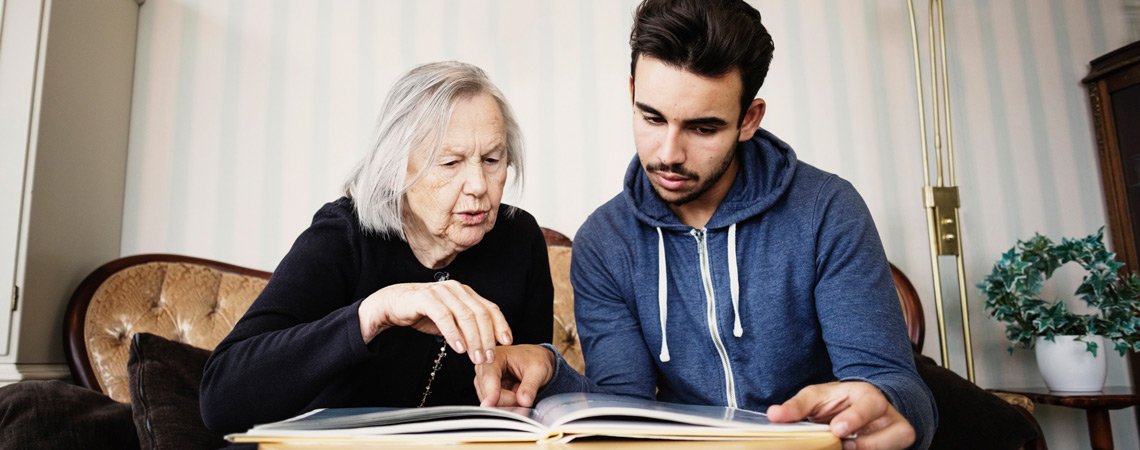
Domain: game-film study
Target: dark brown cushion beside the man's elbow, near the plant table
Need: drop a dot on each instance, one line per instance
(968, 416)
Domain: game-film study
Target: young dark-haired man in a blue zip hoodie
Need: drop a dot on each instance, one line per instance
(728, 273)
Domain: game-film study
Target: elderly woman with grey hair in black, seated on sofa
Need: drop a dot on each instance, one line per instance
(400, 288)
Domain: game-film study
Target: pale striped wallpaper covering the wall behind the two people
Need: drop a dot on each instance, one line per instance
(248, 114)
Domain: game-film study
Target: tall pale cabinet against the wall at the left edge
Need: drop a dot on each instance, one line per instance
(66, 95)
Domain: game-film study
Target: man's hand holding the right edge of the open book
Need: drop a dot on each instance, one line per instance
(850, 407)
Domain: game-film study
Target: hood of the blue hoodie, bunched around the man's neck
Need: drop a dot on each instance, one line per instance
(767, 167)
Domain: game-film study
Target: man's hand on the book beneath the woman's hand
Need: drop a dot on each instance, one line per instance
(515, 378)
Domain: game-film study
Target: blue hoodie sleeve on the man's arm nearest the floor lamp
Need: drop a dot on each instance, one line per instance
(854, 291)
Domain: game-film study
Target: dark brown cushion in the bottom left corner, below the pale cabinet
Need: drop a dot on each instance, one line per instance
(56, 415)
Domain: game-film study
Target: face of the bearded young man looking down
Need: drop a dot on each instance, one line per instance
(686, 130)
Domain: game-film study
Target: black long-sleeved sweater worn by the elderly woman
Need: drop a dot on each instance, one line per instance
(299, 346)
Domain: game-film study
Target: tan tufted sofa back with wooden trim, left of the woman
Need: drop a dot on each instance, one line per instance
(183, 299)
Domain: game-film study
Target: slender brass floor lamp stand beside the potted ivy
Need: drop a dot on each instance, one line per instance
(941, 200)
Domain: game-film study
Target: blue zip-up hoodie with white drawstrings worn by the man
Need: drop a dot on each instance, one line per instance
(787, 287)
